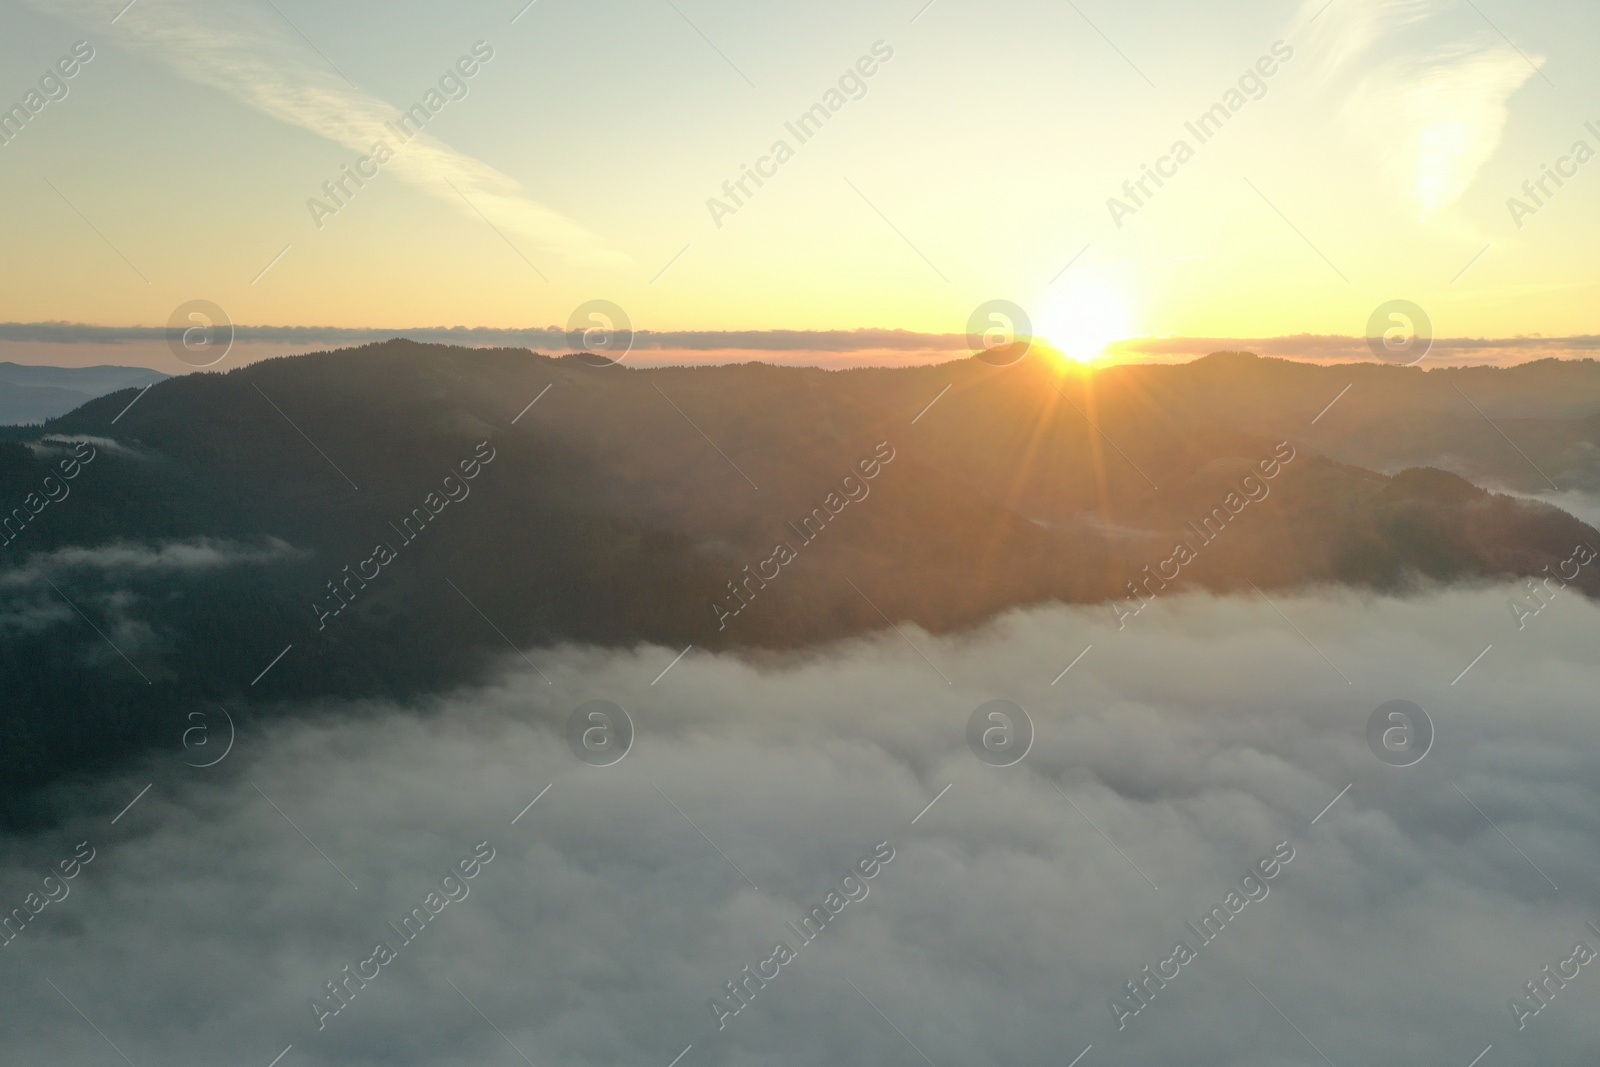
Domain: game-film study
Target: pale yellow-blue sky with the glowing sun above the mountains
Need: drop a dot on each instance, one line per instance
(980, 161)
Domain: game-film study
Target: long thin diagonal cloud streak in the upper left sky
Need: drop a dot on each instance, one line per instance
(258, 60)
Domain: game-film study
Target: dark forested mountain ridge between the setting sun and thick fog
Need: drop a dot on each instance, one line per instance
(398, 516)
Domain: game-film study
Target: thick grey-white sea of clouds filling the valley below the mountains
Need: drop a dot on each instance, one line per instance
(1178, 753)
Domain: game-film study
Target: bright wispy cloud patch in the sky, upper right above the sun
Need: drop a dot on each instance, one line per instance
(1433, 113)
